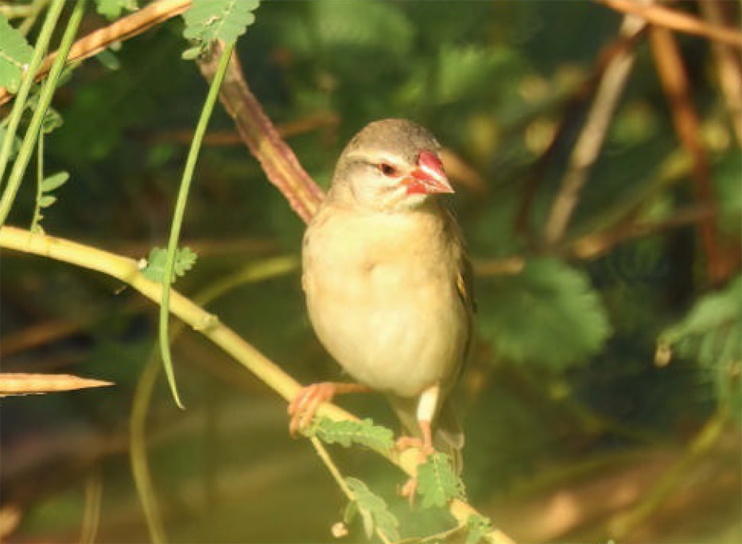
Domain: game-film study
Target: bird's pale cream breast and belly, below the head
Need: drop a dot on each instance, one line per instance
(381, 295)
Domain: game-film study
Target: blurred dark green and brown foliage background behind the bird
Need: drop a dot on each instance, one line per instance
(603, 397)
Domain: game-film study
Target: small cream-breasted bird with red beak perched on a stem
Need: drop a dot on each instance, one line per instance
(388, 283)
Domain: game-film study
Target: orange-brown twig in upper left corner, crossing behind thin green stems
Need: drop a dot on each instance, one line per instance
(126, 27)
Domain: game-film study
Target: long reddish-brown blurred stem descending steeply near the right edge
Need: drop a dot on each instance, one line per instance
(677, 89)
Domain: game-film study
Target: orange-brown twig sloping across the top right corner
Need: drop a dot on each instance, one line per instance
(675, 20)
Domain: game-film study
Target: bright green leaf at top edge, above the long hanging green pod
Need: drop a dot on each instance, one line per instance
(226, 20)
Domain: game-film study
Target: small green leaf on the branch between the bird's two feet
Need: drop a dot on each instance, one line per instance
(345, 433)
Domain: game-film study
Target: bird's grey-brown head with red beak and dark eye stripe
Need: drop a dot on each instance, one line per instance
(390, 165)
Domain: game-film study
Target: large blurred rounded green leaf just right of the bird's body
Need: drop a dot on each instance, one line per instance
(548, 315)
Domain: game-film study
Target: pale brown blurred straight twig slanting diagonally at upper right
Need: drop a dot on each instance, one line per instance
(591, 138)
